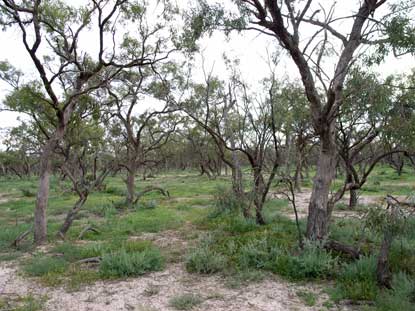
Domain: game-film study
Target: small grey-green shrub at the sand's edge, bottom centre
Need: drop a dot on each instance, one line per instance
(203, 260)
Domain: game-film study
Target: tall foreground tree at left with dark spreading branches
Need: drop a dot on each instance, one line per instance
(54, 35)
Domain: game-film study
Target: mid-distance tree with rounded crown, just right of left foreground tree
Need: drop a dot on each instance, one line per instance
(144, 130)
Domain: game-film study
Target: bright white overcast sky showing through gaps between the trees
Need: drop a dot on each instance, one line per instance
(249, 47)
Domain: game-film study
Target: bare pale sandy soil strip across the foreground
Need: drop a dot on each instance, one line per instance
(153, 292)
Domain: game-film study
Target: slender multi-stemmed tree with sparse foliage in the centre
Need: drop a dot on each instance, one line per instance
(240, 123)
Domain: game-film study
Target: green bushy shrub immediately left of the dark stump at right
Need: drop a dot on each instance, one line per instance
(357, 280)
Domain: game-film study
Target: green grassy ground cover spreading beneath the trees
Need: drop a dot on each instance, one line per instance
(233, 247)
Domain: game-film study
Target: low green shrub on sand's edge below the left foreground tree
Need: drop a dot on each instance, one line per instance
(39, 266)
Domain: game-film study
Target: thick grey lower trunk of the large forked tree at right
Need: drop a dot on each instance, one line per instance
(319, 211)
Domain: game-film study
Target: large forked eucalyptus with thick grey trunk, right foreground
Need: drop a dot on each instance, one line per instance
(311, 35)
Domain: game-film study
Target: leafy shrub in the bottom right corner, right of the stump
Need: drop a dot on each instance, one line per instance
(400, 297)
